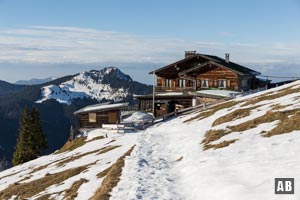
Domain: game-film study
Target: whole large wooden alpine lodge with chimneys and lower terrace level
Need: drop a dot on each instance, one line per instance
(197, 78)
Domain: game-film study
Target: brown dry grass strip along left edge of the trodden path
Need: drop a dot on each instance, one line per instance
(112, 178)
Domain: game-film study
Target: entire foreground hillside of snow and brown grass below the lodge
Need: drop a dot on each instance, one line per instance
(233, 150)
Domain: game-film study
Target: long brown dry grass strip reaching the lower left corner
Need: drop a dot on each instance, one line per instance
(29, 189)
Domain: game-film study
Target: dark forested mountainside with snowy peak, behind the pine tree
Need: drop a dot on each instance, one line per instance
(57, 117)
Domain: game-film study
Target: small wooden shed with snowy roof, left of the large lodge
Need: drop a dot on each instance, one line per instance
(94, 116)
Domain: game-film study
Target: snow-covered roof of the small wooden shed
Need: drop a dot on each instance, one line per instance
(101, 107)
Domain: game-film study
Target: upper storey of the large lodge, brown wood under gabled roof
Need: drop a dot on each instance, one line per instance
(198, 72)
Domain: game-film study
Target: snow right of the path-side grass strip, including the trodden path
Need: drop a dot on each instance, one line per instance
(243, 170)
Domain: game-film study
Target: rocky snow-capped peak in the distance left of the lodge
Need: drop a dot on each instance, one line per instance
(98, 85)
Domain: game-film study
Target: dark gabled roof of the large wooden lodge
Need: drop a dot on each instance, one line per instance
(215, 59)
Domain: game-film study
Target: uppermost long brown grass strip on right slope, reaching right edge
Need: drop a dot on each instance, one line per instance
(270, 96)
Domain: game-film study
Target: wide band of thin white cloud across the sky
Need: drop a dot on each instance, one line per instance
(50, 44)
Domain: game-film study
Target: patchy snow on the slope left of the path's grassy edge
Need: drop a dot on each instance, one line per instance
(54, 163)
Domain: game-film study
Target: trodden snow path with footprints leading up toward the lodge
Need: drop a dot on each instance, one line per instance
(149, 171)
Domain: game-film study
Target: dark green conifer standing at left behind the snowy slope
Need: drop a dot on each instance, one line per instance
(31, 141)
